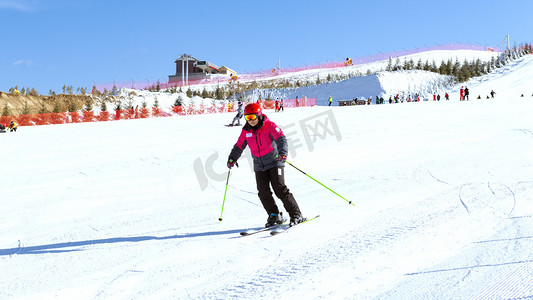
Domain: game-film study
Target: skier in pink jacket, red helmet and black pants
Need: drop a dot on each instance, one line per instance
(269, 148)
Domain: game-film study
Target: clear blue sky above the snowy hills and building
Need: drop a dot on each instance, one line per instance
(50, 43)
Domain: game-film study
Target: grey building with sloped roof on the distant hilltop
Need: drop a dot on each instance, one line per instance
(190, 68)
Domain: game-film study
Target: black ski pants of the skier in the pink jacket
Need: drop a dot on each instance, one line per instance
(275, 177)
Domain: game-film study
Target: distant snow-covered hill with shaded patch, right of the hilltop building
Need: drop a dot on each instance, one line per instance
(383, 83)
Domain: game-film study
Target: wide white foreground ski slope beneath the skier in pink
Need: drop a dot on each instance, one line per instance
(443, 195)
